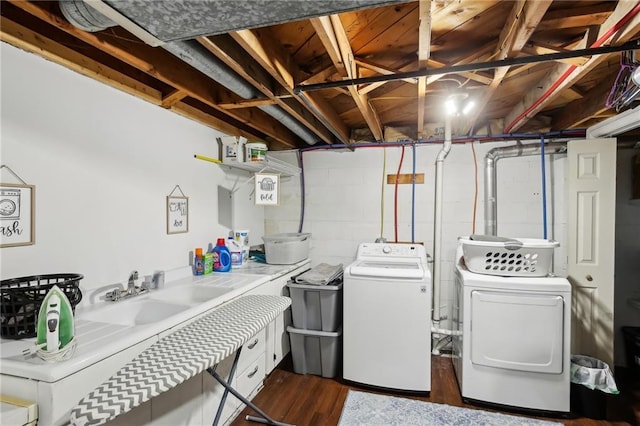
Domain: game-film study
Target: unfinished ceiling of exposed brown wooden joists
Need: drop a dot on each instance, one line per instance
(351, 76)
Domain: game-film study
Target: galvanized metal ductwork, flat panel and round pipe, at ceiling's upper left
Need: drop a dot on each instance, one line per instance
(185, 20)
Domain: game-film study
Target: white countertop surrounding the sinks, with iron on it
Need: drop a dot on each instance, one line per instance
(99, 340)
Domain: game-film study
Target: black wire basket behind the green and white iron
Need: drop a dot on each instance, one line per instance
(21, 299)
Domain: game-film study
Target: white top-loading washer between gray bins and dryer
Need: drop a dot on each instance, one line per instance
(387, 317)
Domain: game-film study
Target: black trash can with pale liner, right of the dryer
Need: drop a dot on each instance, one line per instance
(591, 384)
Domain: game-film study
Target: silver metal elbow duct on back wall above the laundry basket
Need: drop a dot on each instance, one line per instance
(490, 175)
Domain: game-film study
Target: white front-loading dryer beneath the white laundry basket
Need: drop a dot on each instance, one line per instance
(514, 345)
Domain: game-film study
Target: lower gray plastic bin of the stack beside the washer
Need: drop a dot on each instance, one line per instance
(315, 352)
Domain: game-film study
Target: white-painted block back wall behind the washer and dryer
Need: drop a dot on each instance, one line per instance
(343, 201)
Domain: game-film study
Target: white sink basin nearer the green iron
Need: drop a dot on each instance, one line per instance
(134, 312)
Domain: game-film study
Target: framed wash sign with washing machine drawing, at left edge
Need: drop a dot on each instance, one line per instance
(17, 214)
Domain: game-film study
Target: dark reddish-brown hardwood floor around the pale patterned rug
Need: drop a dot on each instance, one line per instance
(306, 400)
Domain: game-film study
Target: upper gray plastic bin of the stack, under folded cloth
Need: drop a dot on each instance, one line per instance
(316, 307)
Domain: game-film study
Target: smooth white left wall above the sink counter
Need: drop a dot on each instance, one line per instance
(103, 163)
